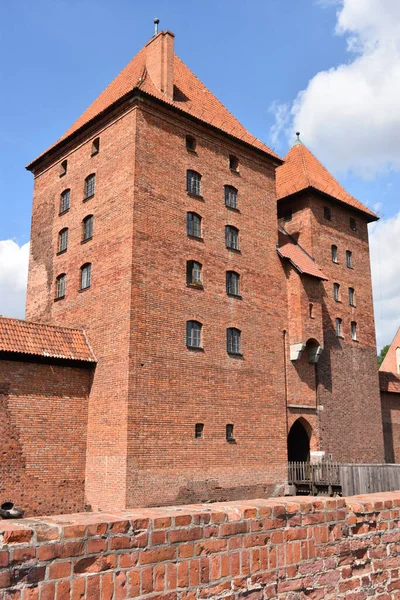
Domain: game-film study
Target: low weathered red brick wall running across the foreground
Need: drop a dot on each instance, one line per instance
(288, 548)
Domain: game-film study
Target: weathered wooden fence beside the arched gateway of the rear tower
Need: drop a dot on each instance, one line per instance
(331, 478)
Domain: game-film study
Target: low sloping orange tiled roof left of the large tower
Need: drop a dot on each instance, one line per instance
(38, 339)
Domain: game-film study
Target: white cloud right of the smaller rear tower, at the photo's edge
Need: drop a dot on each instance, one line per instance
(385, 265)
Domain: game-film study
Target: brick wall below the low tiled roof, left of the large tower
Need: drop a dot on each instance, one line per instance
(43, 421)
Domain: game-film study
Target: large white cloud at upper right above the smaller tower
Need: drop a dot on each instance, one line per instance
(349, 115)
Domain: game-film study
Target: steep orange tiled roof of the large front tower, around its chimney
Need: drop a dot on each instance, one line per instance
(191, 96)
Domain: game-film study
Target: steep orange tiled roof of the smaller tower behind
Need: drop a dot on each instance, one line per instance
(301, 170)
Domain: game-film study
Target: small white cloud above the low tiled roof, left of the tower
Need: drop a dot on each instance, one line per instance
(13, 278)
